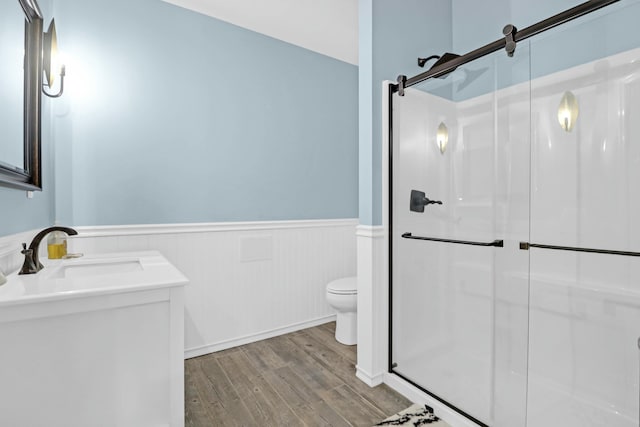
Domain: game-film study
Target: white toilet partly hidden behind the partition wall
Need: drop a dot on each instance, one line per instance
(342, 296)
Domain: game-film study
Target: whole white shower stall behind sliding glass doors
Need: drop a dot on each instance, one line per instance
(514, 226)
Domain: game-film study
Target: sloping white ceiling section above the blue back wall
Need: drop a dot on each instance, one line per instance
(329, 27)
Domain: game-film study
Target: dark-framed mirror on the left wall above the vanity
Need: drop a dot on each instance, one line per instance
(25, 175)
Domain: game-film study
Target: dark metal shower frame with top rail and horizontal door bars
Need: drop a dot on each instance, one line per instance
(509, 43)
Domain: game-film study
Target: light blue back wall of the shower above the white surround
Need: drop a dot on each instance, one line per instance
(599, 34)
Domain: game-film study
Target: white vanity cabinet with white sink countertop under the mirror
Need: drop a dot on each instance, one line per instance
(94, 342)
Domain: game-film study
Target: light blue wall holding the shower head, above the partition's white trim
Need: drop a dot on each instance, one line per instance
(393, 34)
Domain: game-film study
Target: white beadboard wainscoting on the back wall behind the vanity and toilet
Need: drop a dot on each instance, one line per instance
(248, 281)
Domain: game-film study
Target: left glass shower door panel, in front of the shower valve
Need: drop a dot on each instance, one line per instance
(459, 283)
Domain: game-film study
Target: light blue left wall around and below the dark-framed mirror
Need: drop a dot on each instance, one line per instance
(17, 213)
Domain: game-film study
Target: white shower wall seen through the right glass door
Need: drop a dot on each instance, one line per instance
(585, 307)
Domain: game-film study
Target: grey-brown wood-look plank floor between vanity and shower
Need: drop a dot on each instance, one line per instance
(305, 378)
